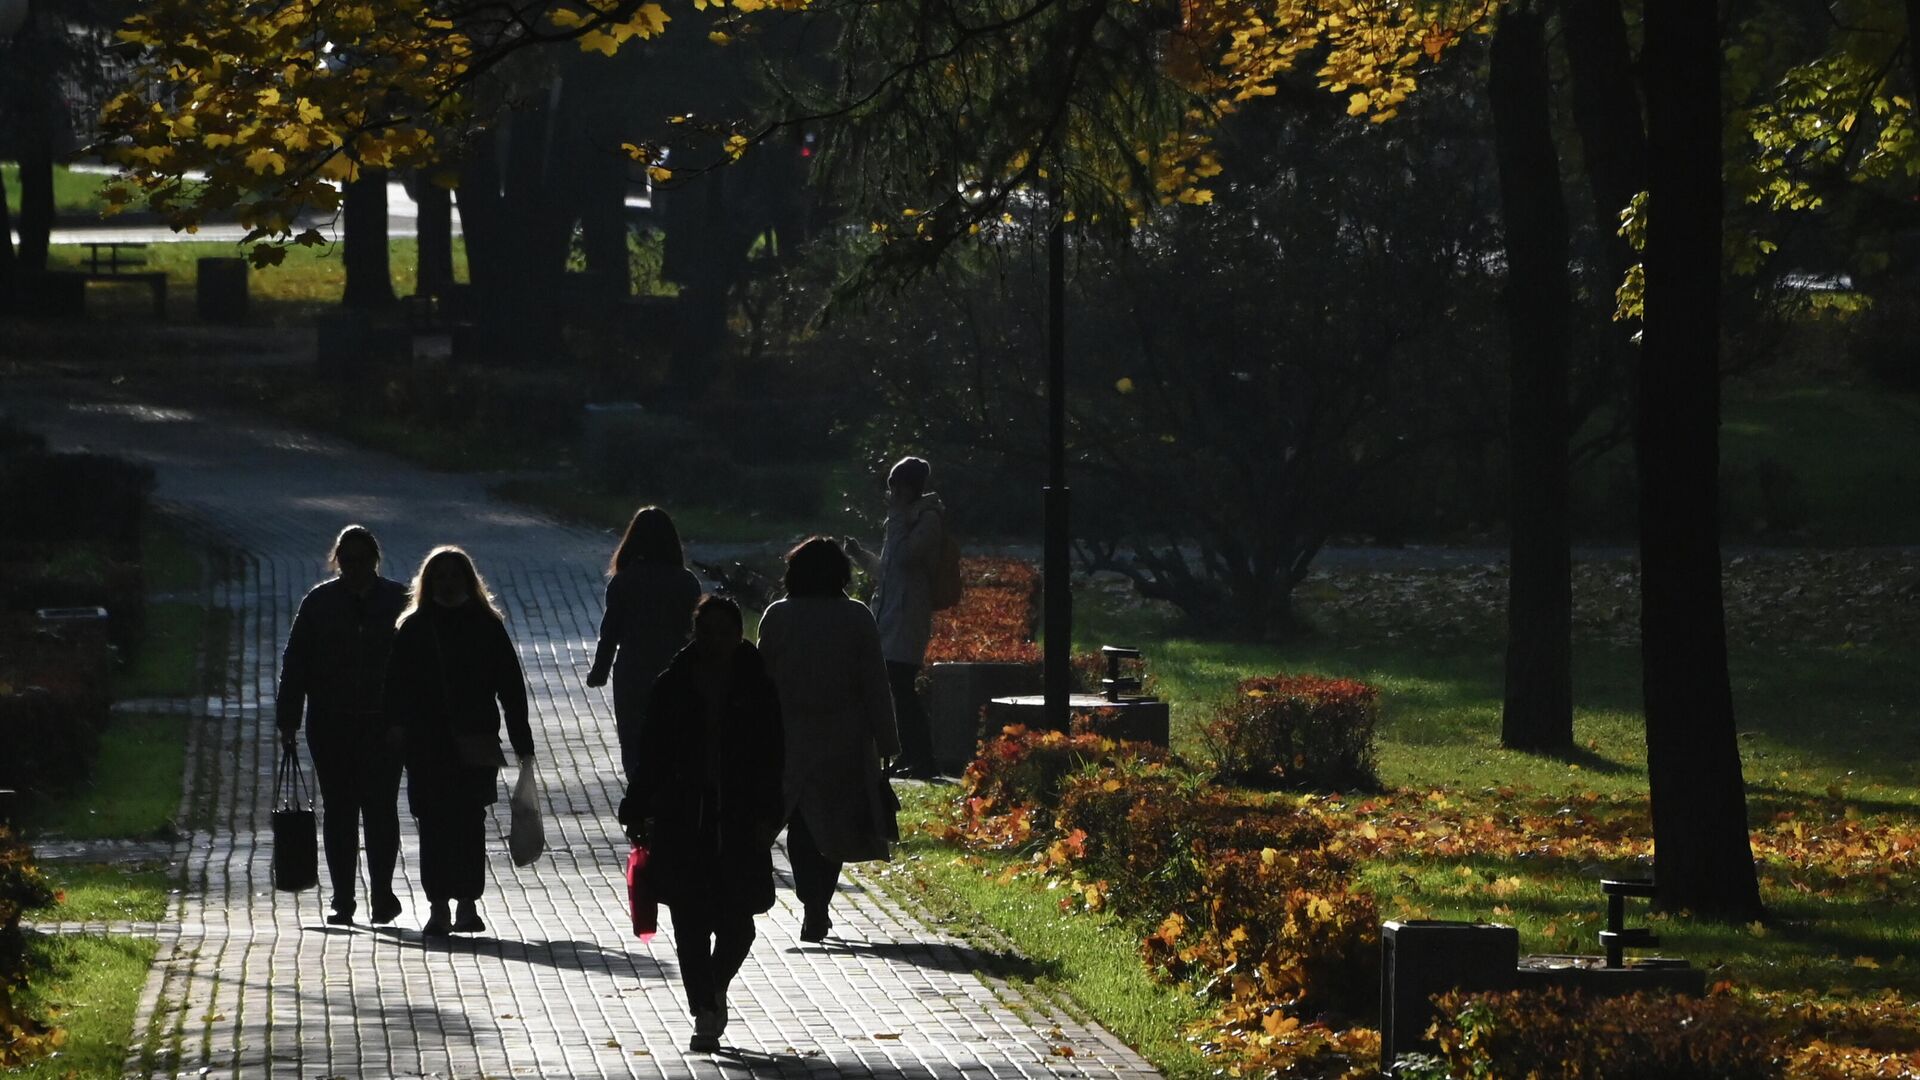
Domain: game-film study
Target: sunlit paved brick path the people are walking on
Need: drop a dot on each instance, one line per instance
(252, 983)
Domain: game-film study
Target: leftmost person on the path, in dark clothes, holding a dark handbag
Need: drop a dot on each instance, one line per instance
(333, 675)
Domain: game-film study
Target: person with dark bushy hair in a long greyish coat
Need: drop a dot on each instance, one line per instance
(823, 652)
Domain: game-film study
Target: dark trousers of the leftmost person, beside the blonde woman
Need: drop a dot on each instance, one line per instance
(358, 781)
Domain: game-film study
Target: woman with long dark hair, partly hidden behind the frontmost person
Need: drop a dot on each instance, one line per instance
(650, 608)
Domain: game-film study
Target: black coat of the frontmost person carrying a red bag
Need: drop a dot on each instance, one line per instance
(713, 818)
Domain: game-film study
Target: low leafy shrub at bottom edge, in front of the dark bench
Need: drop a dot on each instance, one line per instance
(1560, 1035)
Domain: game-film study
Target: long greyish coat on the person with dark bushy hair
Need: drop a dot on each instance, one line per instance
(838, 714)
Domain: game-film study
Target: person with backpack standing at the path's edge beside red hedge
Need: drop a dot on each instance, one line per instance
(917, 576)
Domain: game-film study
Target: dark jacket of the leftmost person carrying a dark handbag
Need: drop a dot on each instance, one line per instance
(333, 670)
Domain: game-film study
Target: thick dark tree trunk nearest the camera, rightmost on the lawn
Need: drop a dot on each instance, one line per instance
(1702, 852)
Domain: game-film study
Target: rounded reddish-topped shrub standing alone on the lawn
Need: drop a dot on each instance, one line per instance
(1297, 731)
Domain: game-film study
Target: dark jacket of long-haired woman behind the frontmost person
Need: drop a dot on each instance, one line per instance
(650, 616)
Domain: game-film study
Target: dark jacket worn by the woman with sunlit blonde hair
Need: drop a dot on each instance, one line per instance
(452, 677)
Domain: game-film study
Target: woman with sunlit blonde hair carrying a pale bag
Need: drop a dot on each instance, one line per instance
(452, 677)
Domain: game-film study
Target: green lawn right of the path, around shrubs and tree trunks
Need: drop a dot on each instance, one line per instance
(1823, 745)
